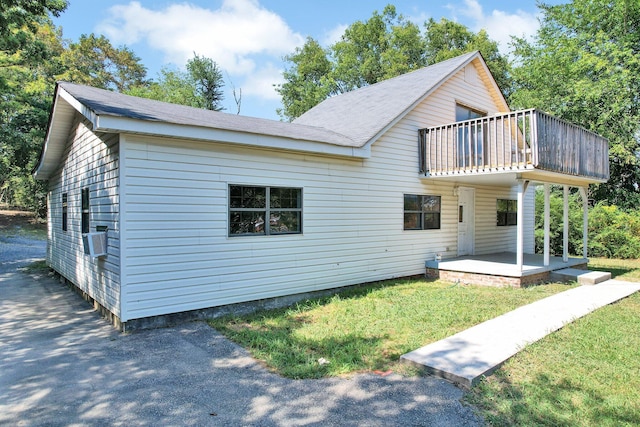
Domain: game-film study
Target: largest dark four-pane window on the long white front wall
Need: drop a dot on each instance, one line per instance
(249, 206)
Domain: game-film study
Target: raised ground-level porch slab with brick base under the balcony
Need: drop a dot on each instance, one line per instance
(501, 269)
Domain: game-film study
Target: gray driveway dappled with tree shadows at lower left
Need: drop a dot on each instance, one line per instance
(62, 364)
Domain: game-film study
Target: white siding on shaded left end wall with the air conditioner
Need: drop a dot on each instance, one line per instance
(91, 161)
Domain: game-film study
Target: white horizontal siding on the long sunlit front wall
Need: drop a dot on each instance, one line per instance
(178, 255)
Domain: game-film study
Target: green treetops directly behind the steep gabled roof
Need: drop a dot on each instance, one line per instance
(384, 46)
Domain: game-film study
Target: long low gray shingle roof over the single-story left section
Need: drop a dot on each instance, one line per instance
(106, 103)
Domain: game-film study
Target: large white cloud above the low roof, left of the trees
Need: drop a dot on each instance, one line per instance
(231, 35)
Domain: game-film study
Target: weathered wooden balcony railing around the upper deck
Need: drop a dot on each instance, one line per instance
(516, 141)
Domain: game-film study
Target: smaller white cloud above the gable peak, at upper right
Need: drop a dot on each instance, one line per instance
(500, 25)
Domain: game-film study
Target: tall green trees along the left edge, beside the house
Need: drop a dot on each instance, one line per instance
(29, 45)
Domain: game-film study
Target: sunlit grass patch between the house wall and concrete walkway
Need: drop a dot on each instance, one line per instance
(369, 327)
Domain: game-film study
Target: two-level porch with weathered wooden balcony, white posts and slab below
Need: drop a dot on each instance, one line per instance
(519, 149)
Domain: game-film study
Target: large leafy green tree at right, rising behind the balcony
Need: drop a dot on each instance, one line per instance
(584, 66)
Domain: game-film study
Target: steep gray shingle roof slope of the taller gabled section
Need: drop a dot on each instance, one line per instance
(362, 114)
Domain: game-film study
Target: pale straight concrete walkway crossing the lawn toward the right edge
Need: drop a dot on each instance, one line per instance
(465, 357)
